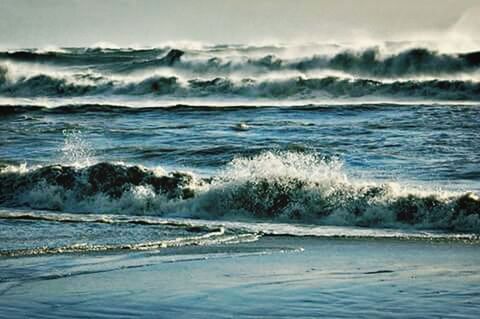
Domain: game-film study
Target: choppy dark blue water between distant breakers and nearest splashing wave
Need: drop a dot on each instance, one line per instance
(428, 143)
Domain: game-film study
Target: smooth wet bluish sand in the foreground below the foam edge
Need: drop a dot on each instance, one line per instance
(277, 276)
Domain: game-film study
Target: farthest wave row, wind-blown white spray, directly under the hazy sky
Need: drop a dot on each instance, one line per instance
(362, 62)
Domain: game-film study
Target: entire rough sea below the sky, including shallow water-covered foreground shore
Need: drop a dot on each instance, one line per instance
(332, 161)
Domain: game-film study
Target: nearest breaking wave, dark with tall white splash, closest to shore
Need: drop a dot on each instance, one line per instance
(283, 187)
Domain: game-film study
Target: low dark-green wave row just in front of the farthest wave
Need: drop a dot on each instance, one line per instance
(298, 87)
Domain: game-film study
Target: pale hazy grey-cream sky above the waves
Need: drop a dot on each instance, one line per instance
(31, 23)
